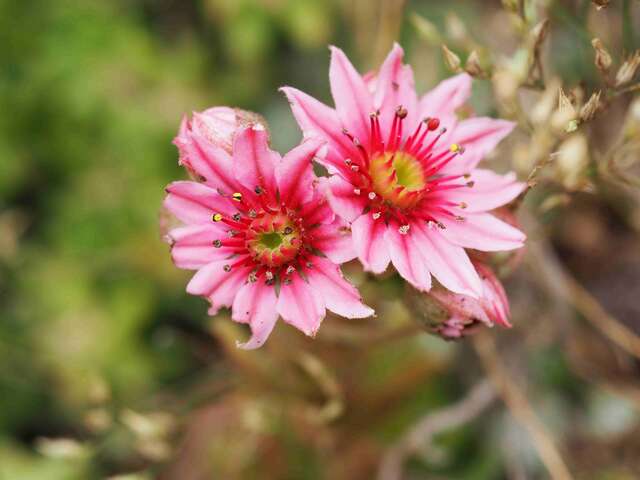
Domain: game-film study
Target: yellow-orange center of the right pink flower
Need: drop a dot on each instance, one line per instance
(398, 178)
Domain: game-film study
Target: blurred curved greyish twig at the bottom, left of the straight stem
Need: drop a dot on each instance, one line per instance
(422, 433)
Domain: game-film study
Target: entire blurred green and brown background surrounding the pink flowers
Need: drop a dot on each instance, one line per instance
(109, 370)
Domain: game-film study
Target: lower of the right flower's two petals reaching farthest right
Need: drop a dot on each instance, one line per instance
(482, 231)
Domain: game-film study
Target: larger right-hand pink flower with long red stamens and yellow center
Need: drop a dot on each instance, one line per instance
(403, 172)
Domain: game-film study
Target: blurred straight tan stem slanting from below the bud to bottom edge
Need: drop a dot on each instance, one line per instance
(520, 408)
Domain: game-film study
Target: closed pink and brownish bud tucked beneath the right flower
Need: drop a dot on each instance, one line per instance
(453, 316)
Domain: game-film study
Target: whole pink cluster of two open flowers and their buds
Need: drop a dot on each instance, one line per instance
(267, 237)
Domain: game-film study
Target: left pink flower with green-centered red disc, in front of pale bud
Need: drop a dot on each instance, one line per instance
(259, 233)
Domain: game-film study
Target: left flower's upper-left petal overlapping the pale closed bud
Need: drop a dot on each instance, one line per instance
(205, 159)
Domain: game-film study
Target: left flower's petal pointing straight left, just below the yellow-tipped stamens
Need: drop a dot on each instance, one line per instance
(192, 245)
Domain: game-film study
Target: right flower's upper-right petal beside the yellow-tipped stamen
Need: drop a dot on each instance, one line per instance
(478, 136)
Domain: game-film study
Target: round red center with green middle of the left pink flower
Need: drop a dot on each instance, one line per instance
(273, 239)
